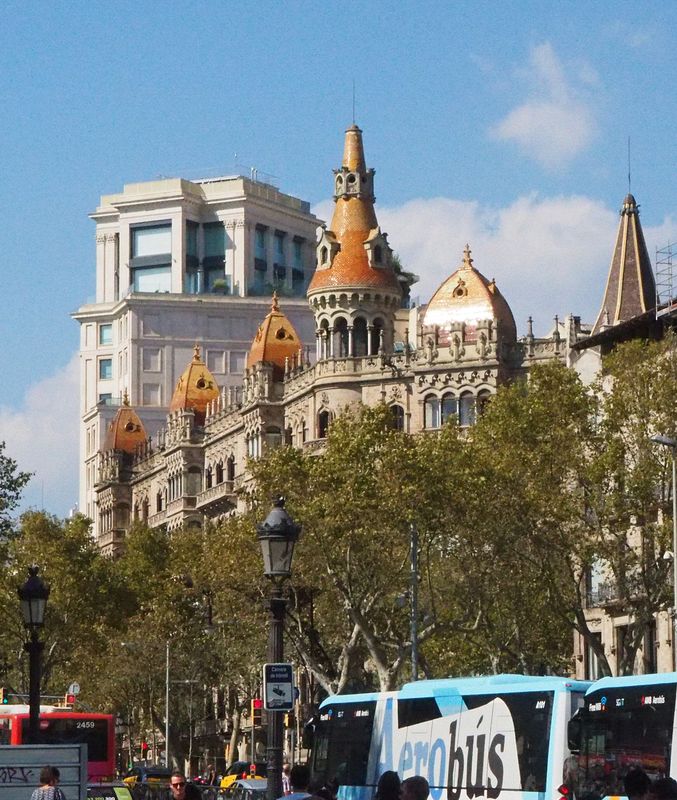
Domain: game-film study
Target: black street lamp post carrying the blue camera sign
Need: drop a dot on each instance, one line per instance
(277, 537)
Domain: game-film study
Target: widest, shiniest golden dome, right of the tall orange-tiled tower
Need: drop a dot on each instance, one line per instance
(468, 297)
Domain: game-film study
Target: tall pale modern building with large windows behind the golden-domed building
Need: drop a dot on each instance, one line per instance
(182, 262)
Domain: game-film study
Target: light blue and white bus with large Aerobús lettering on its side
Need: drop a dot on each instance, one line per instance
(502, 737)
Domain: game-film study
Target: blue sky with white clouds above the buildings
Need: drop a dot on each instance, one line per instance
(502, 124)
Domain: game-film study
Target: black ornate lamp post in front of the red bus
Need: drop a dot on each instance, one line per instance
(33, 596)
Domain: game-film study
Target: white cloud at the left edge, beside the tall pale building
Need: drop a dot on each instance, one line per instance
(42, 436)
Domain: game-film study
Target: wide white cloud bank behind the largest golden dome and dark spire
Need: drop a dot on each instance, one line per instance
(549, 255)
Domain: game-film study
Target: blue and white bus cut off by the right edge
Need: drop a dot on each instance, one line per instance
(625, 722)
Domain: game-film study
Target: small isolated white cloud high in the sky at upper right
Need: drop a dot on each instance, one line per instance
(555, 123)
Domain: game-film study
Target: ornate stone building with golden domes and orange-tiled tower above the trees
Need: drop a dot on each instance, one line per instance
(427, 363)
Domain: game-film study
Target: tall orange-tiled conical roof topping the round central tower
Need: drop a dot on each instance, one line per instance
(353, 224)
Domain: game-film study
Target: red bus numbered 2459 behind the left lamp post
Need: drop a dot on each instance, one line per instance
(63, 726)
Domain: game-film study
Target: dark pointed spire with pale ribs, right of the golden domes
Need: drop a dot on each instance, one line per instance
(630, 287)
